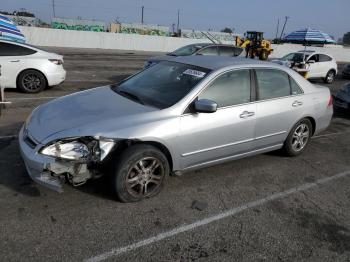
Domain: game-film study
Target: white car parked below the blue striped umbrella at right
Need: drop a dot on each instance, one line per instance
(319, 65)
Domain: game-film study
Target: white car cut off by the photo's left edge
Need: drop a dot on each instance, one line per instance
(28, 68)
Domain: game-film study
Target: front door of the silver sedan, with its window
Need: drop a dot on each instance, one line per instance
(210, 137)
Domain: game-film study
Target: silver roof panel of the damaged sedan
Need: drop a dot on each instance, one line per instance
(218, 62)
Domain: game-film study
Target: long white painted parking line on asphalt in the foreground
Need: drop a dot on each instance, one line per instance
(220, 216)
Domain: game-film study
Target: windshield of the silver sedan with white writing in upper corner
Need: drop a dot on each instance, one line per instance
(162, 85)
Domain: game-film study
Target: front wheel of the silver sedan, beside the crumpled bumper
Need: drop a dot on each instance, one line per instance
(133, 179)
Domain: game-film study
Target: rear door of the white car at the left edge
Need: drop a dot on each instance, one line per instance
(13, 60)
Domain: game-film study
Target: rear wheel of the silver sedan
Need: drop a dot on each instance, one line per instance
(298, 138)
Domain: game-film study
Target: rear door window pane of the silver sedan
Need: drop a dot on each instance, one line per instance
(272, 83)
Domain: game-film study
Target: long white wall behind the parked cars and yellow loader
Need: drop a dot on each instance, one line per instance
(65, 38)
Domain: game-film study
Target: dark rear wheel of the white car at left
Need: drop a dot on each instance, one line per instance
(31, 81)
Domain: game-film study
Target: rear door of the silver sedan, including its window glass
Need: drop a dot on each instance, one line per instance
(279, 107)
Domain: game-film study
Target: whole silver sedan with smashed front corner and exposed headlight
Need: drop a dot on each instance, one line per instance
(181, 114)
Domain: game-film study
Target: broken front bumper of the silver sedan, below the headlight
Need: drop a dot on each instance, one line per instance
(49, 171)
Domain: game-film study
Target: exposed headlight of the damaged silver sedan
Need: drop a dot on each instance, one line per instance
(73, 150)
